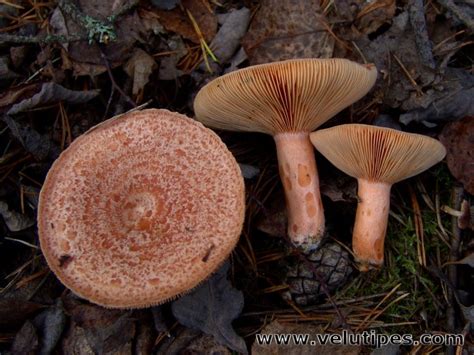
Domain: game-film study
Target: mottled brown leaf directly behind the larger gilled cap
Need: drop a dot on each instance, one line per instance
(287, 29)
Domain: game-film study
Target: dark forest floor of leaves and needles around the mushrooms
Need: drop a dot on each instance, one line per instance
(68, 65)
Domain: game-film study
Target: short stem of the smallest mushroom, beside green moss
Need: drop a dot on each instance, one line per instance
(371, 223)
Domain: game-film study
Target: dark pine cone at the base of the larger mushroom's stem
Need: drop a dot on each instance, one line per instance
(333, 266)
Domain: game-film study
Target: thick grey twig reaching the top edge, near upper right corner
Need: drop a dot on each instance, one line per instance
(418, 24)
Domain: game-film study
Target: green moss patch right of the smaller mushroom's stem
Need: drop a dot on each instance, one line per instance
(402, 266)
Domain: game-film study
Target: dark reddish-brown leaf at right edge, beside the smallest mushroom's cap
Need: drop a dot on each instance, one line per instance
(458, 138)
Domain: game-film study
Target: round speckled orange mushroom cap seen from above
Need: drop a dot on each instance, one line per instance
(140, 209)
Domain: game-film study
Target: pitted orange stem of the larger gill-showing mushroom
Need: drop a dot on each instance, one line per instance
(301, 184)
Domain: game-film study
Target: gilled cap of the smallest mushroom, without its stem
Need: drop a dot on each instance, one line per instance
(377, 153)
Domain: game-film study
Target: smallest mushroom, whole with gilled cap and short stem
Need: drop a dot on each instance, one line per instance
(378, 157)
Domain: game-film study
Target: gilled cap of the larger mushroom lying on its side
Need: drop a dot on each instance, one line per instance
(289, 96)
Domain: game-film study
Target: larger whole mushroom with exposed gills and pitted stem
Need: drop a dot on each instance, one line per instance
(288, 100)
